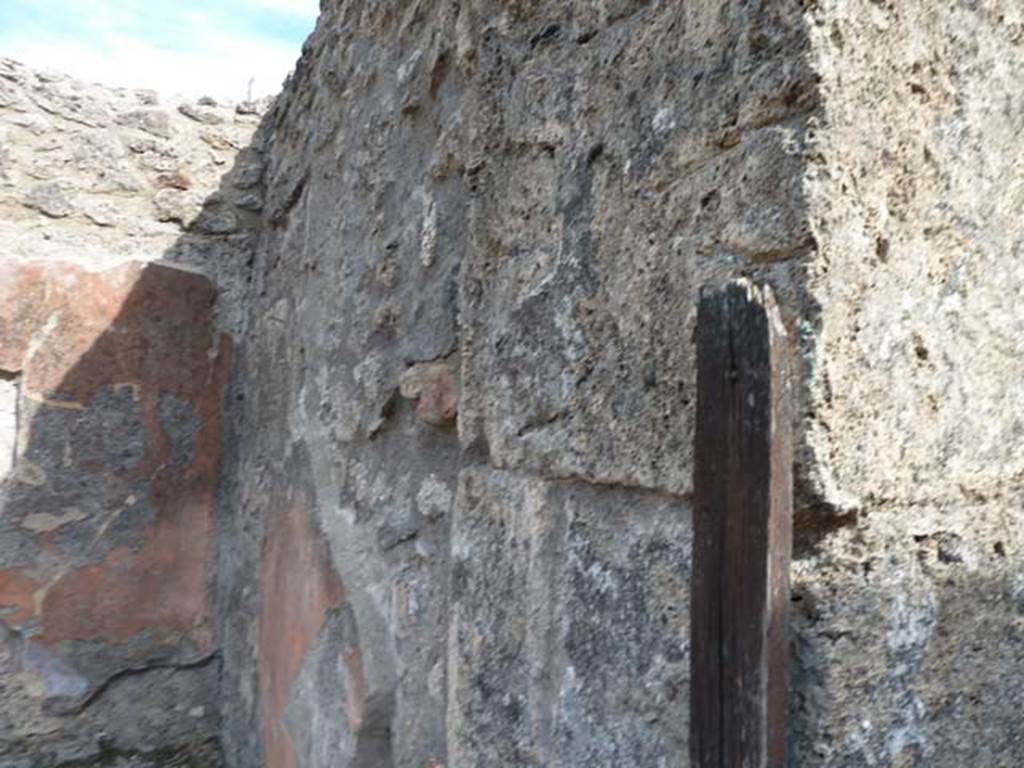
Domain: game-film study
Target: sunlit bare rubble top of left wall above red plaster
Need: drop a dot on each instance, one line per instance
(97, 177)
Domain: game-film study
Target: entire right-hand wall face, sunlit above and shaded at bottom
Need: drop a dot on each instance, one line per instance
(910, 625)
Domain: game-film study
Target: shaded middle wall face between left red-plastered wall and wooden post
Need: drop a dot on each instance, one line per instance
(468, 373)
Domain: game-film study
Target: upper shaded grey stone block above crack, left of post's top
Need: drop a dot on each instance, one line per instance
(615, 177)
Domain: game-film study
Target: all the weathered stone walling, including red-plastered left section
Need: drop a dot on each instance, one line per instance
(459, 262)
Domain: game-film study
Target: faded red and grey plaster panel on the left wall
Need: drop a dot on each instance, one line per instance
(108, 526)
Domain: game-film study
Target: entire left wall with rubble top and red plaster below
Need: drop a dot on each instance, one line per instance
(113, 371)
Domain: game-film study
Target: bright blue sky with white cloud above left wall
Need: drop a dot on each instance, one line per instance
(186, 47)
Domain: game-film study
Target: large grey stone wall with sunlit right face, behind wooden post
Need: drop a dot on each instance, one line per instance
(522, 199)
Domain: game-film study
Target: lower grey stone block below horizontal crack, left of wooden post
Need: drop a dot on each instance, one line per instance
(570, 634)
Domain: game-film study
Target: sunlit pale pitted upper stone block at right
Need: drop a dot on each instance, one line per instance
(918, 393)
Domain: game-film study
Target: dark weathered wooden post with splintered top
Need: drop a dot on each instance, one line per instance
(743, 520)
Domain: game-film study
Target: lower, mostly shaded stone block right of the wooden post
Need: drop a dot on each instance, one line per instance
(907, 647)
